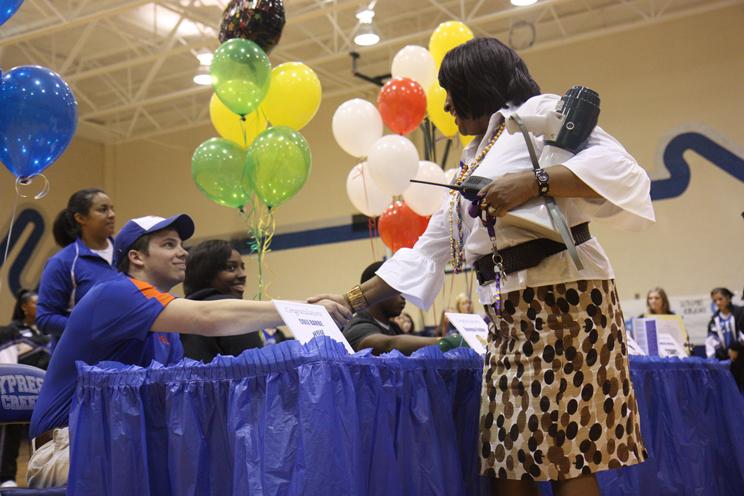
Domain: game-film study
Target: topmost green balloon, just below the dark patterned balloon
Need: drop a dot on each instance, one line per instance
(241, 74)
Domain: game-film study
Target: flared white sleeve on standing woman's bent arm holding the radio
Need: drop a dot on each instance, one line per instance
(606, 167)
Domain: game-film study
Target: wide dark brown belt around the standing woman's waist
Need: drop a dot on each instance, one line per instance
(527, 254)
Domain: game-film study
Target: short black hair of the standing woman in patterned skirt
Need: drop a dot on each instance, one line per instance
(483, 75)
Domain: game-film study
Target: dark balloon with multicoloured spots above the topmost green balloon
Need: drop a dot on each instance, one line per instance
(260, 21)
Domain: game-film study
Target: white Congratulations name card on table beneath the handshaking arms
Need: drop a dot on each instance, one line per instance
(307, 321)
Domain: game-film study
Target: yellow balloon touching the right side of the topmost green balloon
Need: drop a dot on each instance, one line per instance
(294, 95)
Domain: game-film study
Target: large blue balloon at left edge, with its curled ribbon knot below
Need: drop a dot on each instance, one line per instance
(38, 118)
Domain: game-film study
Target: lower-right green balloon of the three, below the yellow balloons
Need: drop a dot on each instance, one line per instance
(278, 164)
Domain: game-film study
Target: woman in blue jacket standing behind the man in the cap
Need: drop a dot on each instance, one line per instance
(84, 230)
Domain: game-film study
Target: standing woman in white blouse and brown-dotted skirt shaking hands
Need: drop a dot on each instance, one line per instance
(557, 403)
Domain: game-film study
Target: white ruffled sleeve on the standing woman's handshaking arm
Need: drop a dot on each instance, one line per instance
(418, 272)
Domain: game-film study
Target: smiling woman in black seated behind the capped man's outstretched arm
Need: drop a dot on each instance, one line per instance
(215, 271)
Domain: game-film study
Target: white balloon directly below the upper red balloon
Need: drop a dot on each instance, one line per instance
(392, 162)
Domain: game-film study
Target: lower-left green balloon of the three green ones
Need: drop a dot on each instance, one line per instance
(217, 169)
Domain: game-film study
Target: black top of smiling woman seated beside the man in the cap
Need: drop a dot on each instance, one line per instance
(206, 348)
